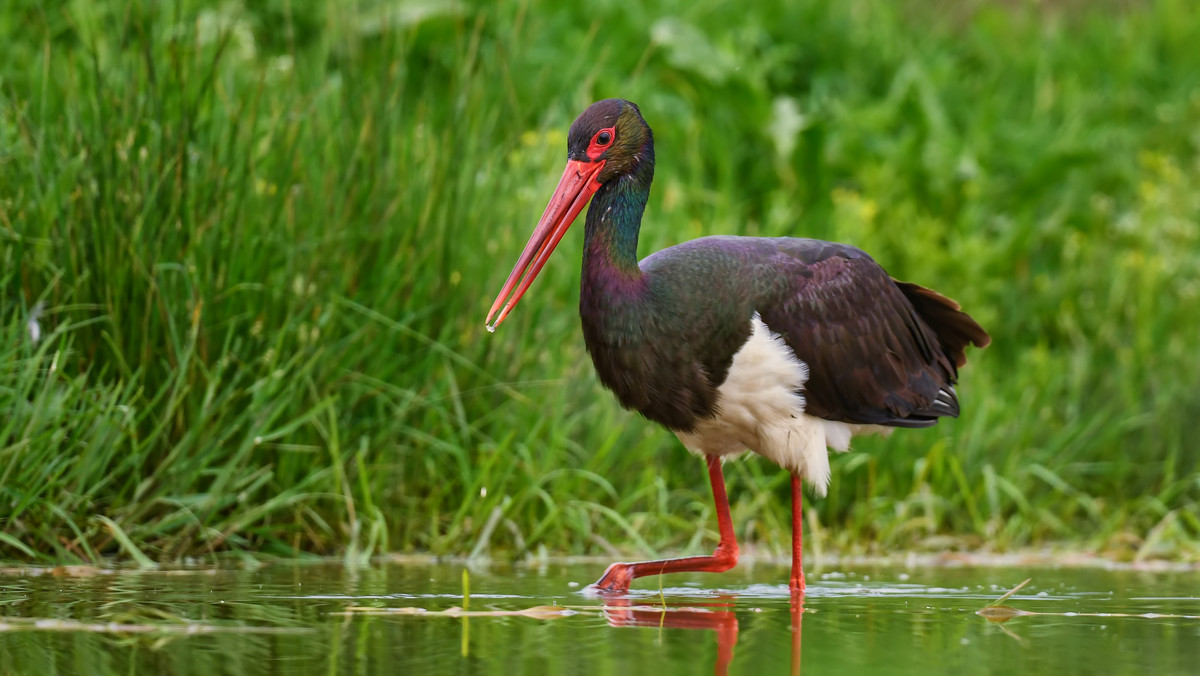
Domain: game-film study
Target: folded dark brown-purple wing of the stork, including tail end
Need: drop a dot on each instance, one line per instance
(879, 351)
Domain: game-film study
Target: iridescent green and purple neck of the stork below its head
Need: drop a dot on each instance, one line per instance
(615, 218)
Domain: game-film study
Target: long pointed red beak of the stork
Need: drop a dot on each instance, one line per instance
(574, 192)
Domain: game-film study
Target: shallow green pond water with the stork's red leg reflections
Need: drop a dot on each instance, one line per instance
(309, 619)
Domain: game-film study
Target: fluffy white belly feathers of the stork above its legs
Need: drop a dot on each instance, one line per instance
(761, 409)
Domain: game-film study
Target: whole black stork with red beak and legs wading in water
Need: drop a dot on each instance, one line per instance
(783, 346)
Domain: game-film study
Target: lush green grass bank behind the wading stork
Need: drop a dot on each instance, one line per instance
(266, 237)
